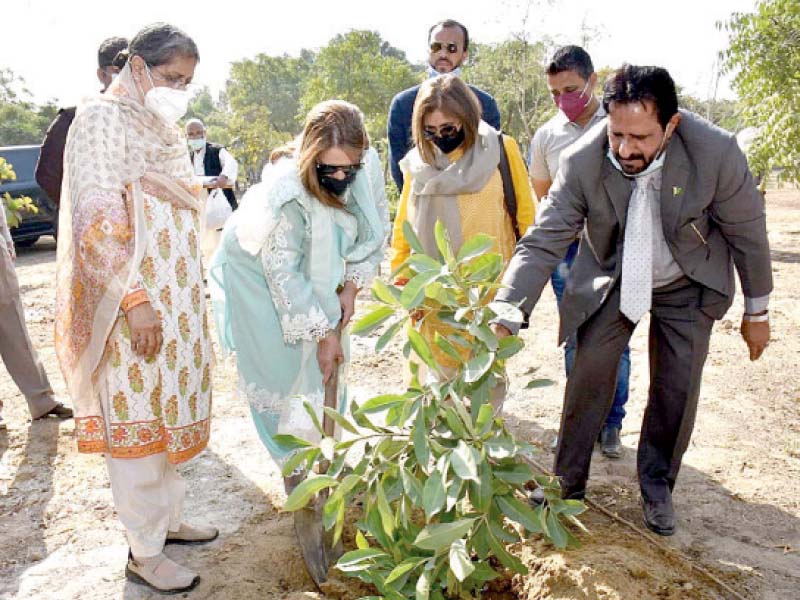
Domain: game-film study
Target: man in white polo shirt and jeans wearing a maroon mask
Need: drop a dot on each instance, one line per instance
(572, 80)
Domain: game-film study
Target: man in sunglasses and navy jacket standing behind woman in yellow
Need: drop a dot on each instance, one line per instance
(449, 47)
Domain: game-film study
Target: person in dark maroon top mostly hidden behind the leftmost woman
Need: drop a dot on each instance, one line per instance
(50, 168)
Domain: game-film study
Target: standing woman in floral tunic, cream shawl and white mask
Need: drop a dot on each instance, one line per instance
(131, 331)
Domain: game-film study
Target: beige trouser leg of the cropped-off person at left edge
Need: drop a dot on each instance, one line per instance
(16, 349)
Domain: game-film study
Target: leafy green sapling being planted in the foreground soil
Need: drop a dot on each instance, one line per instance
(441, 478)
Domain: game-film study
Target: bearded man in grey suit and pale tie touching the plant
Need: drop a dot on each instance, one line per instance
(668, 208)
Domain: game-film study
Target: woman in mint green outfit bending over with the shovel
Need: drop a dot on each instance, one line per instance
(290, 264)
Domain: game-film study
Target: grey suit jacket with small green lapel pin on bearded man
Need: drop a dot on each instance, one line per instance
(713, 218)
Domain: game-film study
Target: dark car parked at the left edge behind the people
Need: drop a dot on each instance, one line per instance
(45, 222)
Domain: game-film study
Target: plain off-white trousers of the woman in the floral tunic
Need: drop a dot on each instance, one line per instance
(148, 495)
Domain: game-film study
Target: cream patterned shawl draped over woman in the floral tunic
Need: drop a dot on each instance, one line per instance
(116, 150)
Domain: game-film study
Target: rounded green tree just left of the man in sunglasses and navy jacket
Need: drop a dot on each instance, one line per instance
(359, 67)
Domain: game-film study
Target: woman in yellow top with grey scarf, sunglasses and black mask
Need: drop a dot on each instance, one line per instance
(461, 172)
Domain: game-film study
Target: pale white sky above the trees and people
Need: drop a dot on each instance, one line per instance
(53, 44)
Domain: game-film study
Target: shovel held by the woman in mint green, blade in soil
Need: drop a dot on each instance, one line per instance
(316, 544)
